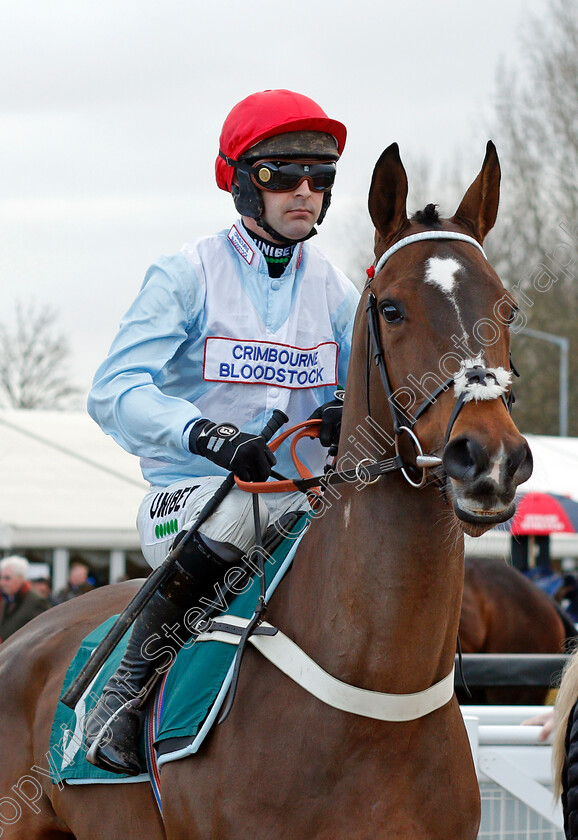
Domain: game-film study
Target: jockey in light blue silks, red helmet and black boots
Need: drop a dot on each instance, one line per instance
(232, 327)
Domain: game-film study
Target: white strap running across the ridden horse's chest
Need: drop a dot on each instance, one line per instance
(293, 662)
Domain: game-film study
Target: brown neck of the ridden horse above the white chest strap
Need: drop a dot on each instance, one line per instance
(375, 591)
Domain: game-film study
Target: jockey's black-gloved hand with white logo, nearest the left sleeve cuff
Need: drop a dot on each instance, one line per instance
(248, 456)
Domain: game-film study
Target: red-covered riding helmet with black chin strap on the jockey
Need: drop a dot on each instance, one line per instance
(307, 132)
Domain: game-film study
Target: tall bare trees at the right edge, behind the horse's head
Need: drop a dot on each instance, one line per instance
(536, 131)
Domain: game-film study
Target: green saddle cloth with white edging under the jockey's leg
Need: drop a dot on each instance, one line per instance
(185, 697)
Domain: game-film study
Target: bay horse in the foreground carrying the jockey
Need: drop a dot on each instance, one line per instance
(373, 596)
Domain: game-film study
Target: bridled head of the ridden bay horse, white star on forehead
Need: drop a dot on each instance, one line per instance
(440, 316)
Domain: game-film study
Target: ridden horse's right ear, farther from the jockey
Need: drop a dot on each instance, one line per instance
(479, 206)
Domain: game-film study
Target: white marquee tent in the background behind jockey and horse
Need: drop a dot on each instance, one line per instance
(67, 486)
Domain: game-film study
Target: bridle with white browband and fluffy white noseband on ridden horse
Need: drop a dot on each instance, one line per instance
(469, 376)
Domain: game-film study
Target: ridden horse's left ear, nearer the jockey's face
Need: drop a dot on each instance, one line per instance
(388, 193)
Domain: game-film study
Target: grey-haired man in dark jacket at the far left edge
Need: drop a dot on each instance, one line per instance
(20, 604)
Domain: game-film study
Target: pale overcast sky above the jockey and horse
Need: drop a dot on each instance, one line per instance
(110, 113)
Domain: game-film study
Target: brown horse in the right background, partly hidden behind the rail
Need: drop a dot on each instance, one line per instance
(503, 611)
